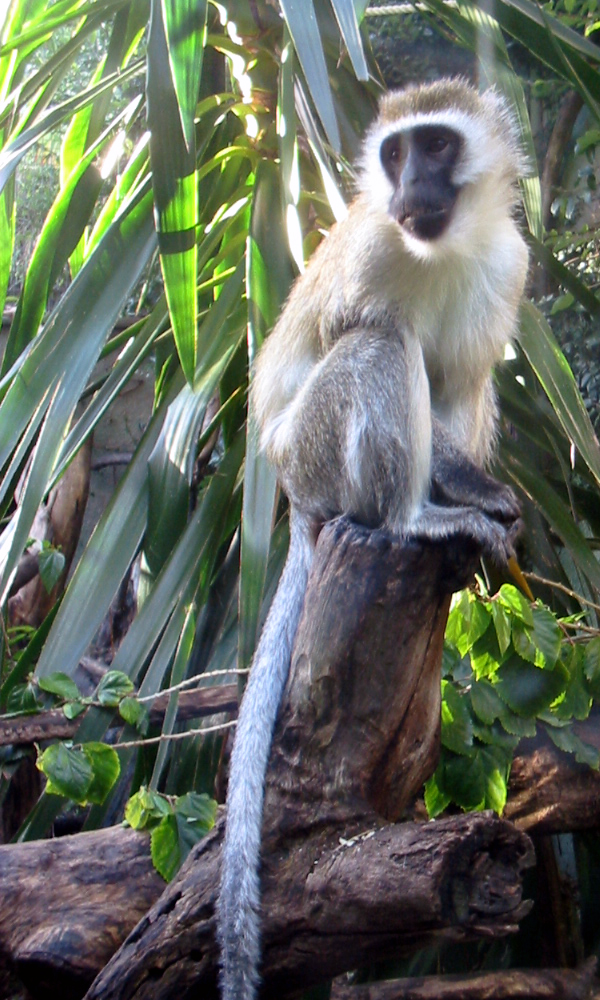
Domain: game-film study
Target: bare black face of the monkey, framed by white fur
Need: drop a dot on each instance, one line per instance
(420, 164)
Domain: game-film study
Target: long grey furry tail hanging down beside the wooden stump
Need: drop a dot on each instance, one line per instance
(238, 918)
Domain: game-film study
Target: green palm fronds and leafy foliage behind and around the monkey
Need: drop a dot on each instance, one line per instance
(217, 140)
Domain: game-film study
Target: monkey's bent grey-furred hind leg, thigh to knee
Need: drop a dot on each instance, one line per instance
(358, 440)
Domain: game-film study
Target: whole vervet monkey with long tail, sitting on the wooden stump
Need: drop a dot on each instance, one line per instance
(374, 399)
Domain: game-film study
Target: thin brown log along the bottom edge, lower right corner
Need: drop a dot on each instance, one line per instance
(513, 984)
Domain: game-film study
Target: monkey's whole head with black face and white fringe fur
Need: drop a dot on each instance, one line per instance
(435, 160)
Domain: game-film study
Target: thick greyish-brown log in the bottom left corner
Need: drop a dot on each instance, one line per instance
(66, 905)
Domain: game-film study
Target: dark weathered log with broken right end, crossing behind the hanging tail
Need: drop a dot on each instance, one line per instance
(385, 891)
